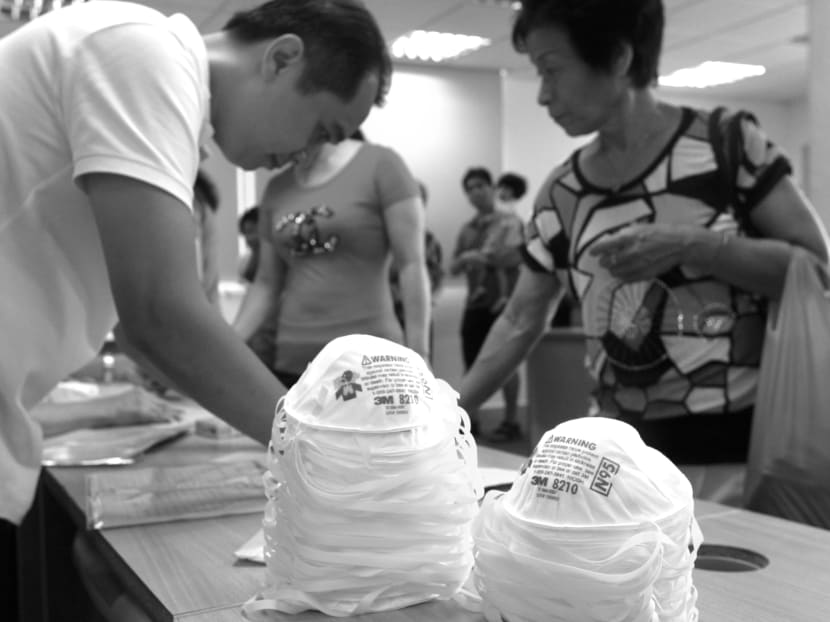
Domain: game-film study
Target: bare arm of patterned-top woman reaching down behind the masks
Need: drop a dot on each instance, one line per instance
(511, 338)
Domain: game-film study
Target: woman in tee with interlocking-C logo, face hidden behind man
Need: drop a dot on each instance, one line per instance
(329, 228)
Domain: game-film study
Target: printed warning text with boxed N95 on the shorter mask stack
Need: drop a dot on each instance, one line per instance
(568, 465)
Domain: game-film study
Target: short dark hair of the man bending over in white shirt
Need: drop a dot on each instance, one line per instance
(343, 42)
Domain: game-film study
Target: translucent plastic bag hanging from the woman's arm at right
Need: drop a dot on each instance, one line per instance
(788, 471)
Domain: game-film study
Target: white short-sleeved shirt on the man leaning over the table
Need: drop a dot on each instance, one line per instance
(108, 87)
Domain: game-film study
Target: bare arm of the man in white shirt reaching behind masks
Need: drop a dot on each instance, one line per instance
(147, 239)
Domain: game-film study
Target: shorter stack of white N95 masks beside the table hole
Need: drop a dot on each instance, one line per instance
(598, 527)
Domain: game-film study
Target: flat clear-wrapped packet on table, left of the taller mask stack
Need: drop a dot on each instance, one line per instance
(161, 494)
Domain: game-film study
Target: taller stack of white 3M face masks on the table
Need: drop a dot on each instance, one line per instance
(372, 485)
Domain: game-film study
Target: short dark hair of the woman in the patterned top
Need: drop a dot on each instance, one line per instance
(598, 29)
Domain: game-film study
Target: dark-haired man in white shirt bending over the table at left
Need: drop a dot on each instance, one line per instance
(103, 110)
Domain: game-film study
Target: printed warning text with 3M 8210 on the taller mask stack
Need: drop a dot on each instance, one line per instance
(394, 383)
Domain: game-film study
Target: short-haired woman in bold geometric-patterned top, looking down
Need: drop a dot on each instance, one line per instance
(639, 221)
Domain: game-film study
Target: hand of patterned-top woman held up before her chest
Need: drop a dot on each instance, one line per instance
(642, 252)
